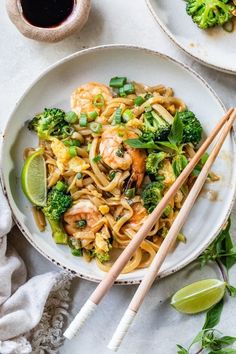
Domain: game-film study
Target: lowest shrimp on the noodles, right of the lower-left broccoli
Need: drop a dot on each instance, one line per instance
(85, 211)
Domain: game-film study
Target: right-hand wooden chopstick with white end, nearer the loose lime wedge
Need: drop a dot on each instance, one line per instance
(171, 237)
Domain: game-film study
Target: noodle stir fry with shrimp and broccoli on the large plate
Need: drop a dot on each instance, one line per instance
(109, 162)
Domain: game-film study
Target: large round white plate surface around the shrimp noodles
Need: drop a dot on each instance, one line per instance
(53, 88)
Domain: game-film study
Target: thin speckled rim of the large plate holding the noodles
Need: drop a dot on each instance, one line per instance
(189, 259)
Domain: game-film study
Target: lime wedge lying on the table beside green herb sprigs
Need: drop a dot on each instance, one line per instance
(198, 296)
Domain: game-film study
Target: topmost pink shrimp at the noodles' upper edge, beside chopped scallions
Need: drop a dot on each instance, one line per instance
(82, 98)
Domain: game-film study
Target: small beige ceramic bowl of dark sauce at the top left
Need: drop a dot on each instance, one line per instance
(48, 21)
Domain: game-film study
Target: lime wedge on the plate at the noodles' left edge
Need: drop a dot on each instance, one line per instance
(33, 178)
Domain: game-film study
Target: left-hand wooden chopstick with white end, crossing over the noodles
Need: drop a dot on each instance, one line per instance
(89, 307)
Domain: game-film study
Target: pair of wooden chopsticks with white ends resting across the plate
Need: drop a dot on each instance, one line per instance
(104, 286)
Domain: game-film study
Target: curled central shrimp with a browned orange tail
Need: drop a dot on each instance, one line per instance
(121, 156)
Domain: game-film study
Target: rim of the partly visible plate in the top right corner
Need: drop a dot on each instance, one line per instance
(172, 37)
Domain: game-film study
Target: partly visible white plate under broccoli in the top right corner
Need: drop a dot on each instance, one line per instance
(214, 47)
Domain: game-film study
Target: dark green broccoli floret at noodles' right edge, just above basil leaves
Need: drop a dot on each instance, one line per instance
(192, 129)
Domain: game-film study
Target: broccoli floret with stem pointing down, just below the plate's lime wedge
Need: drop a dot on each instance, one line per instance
(57, 203)
